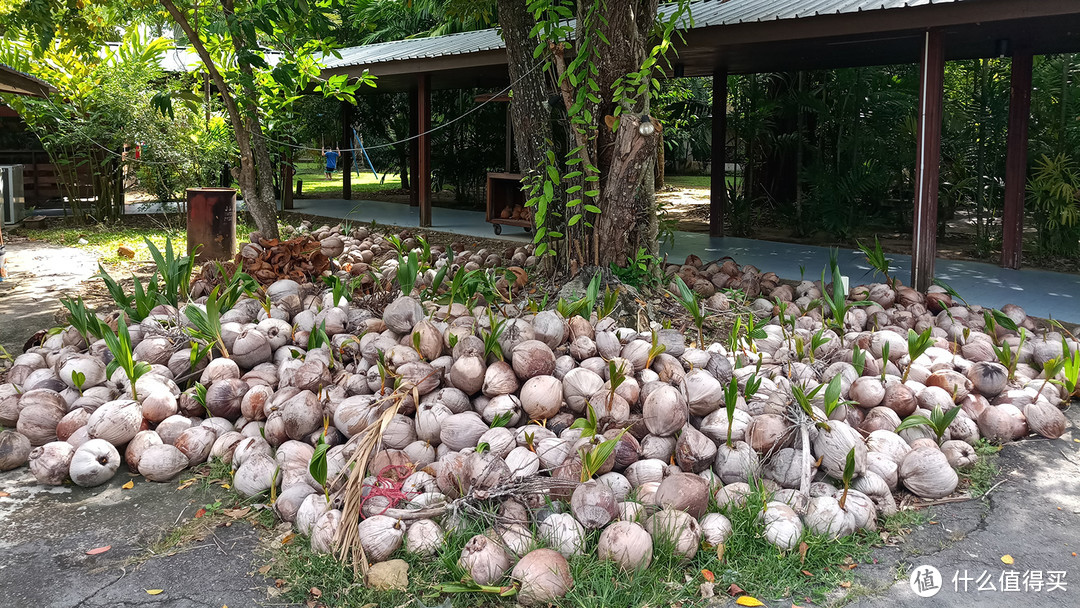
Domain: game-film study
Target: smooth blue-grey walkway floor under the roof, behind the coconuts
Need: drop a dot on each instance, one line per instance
(1042, 293)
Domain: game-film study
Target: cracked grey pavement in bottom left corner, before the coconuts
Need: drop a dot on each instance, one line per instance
(46, 533)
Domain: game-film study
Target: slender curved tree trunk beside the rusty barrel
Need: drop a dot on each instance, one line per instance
(259, 197)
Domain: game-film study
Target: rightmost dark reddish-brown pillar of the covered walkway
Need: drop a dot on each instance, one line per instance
(1020, 110)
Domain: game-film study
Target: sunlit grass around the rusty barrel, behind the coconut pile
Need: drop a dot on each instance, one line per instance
(105, 240)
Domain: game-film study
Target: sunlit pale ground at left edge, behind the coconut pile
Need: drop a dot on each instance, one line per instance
(38, 276)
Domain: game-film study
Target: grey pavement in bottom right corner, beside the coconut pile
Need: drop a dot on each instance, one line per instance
(1033, 517)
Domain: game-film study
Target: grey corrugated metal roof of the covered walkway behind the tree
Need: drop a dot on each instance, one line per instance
(705, 13)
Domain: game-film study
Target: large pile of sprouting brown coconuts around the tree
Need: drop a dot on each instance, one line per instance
(406, 424)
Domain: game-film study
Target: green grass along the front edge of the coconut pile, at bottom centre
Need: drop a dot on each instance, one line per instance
(749, 561)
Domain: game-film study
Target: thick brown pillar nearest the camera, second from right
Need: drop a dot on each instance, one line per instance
(928, 160)
